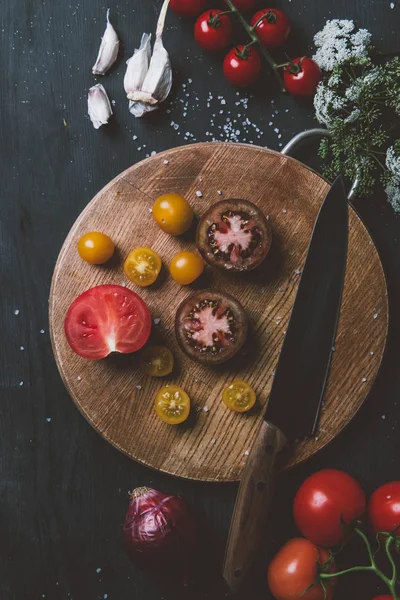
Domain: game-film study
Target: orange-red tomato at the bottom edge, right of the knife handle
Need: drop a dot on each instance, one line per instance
(294, 569)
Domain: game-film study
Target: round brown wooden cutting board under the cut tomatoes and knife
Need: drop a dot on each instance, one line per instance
(113, 394)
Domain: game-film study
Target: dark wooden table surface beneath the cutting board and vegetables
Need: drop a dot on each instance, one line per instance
(63, 489)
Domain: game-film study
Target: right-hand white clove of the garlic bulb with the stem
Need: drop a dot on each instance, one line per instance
(158, 81)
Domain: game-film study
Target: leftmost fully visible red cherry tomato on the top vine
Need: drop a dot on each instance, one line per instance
(213, 32)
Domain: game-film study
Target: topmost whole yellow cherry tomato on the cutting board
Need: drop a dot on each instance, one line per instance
(173, 214)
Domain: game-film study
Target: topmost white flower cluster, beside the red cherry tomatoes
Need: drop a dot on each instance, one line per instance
(337, 43)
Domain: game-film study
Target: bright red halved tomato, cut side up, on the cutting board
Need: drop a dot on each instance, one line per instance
(105, 319)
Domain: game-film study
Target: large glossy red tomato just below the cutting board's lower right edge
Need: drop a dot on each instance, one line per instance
(322, 501)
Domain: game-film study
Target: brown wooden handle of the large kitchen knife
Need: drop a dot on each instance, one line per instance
(252, 505)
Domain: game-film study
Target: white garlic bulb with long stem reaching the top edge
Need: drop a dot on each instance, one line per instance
(148, 82)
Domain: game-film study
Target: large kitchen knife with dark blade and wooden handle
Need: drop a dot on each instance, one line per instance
(299, 383)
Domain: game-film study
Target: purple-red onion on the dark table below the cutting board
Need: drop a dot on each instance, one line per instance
(159, 532)
